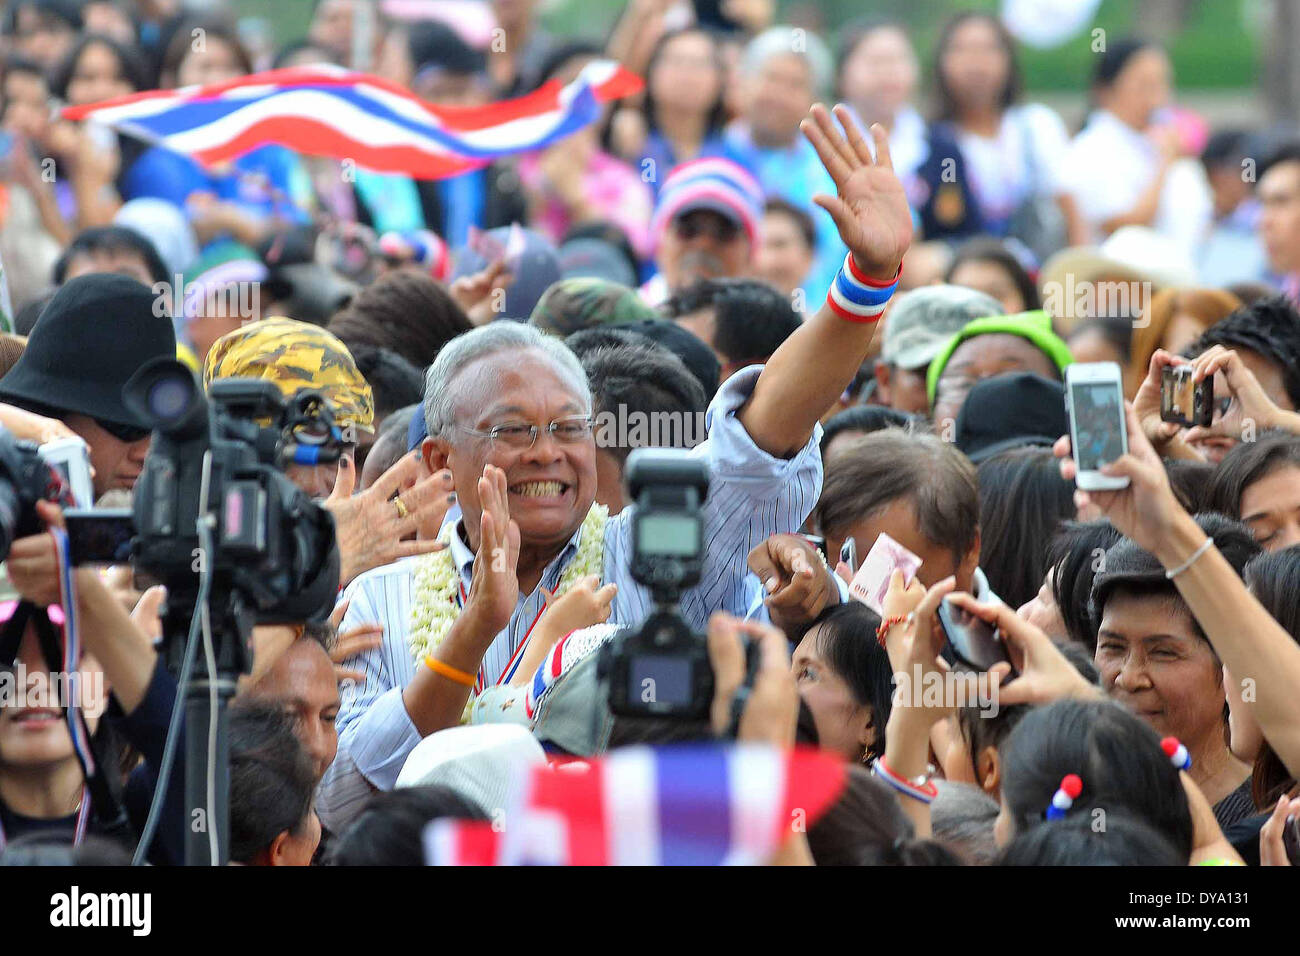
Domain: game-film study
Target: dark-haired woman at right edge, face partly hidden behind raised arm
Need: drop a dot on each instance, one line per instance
(1259, 483)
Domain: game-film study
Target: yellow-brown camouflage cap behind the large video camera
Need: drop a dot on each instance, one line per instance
(294, 356)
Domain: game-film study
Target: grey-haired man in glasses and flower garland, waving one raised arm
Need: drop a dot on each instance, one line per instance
(509, 414)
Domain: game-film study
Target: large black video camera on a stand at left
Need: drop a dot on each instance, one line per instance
(272, 553)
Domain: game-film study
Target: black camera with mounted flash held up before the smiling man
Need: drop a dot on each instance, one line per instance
(664, 669)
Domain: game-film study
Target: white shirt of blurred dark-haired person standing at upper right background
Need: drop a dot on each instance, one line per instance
(1111, 165)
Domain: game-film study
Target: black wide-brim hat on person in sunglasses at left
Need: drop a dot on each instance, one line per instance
(89, 341)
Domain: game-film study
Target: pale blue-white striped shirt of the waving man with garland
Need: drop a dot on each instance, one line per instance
(752, 496)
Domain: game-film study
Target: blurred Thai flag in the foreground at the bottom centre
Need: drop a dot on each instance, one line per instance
(695, 806)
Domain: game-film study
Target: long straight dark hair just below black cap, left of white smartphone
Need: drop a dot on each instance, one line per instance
(1022, 503)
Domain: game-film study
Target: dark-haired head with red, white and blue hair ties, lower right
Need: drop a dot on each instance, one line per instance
(1116, 758)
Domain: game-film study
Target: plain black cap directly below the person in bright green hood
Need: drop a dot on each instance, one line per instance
(1009, 412)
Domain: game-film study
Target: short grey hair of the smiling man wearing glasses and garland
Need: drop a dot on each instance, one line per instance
(457, 356)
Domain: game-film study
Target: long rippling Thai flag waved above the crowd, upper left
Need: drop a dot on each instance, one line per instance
(328, 111)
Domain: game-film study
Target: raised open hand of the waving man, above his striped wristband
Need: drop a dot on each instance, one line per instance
(870, 209)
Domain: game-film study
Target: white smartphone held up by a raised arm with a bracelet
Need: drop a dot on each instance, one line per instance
(1095, 403)
